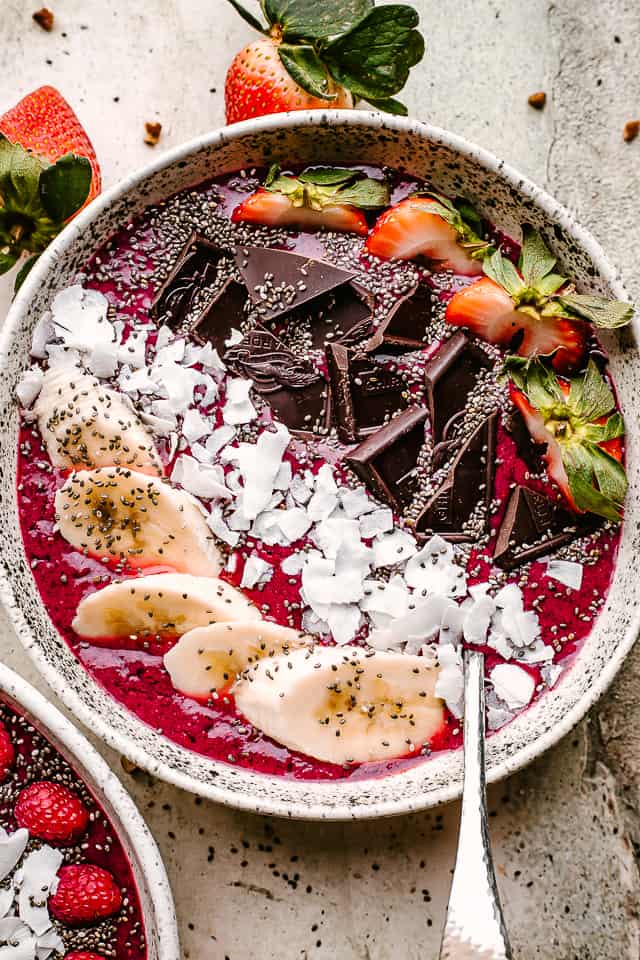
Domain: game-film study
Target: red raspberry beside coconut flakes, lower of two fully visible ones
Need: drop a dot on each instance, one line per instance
(85, 893)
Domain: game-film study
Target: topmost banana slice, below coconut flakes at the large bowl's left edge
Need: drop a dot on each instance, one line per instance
(84, 424)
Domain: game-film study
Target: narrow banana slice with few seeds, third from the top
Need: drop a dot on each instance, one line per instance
(163, 603)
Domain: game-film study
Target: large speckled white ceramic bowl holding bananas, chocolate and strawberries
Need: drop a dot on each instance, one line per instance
(455, 167)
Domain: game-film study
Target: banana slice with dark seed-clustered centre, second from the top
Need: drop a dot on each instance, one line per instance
(124, 515)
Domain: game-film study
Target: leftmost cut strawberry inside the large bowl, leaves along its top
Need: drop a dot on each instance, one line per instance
(330, 197)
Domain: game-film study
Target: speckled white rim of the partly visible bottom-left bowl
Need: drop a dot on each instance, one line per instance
(84, 756)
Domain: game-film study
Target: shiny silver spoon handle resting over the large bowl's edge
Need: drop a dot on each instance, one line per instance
(475, 928)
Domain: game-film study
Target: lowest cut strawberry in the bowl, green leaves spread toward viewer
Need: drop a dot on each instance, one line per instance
(582, 431)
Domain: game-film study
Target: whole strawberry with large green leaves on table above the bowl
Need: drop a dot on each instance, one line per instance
(316, 55)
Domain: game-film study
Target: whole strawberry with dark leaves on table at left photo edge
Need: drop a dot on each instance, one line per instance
(48, 172)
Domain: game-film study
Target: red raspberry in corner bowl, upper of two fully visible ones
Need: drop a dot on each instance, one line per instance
(51, 812)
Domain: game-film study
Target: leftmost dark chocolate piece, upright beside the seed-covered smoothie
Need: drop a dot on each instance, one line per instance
(195, 267)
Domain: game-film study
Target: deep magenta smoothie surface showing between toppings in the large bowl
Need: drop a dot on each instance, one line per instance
(129, 271)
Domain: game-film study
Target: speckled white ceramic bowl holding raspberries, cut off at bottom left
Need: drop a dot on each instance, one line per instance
(151, 880)
